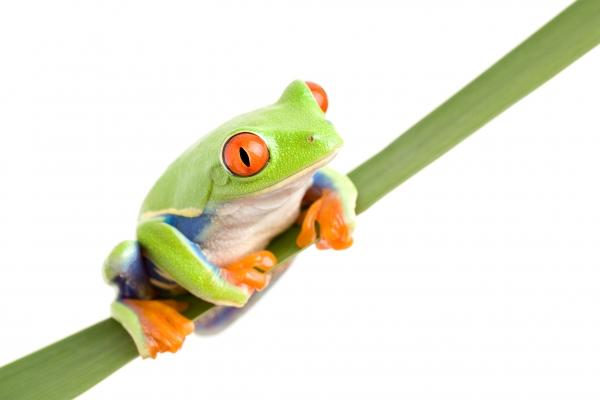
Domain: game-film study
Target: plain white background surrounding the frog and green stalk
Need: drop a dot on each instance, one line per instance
(478, 278)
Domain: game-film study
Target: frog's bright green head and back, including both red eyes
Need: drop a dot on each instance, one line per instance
(250, 154)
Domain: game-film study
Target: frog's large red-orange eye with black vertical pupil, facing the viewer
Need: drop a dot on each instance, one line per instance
(245, 154)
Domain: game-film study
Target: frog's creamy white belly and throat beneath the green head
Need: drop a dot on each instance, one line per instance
(246, 225)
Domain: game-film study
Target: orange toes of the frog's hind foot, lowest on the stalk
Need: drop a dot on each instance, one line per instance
(163, 326)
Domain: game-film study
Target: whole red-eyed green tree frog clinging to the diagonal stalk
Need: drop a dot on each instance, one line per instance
(204, 227)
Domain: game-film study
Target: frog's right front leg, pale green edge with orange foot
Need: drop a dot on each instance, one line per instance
(329, 203)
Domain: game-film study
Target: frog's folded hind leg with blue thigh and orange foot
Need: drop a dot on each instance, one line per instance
(155, 325)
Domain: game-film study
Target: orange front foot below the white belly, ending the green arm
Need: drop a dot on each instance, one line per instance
(252, 270)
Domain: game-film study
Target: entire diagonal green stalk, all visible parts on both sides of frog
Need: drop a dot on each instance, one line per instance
(73, 365)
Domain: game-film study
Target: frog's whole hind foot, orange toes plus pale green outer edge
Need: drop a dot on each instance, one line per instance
(156, 326)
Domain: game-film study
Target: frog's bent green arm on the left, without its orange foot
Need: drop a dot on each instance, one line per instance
(184, 261)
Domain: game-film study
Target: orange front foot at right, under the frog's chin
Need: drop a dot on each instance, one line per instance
(334, 231)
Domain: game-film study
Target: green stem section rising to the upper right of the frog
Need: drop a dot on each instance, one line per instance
(563, 40)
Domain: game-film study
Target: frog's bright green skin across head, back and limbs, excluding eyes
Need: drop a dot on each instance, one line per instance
(299, 138)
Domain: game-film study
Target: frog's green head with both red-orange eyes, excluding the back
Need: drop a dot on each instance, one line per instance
(265, 148)
